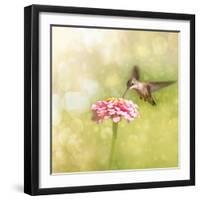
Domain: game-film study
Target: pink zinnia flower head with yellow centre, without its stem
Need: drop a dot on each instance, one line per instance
(115, 109)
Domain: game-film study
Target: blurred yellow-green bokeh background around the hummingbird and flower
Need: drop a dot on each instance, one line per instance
(94, 64)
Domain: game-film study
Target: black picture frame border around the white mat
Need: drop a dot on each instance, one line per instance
(31, 98)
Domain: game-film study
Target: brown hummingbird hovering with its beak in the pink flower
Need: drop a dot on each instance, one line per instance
(144, 89)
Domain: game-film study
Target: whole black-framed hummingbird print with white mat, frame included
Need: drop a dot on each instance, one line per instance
(109, 99)
